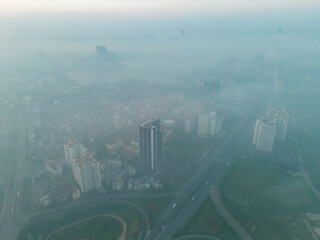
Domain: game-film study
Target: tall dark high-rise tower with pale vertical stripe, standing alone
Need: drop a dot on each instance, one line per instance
(150, 144)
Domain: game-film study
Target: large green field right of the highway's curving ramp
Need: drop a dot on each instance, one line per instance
(267, 201)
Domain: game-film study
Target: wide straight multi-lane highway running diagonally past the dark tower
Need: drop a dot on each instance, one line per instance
(191, 196)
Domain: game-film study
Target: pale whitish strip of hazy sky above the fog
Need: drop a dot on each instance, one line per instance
(150, 7)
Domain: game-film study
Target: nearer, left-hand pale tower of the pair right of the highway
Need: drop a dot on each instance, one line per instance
(264, 134)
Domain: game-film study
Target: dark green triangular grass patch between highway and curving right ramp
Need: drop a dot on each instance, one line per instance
(207, 221)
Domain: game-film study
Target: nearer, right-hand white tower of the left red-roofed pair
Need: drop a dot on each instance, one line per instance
(86, 172)
